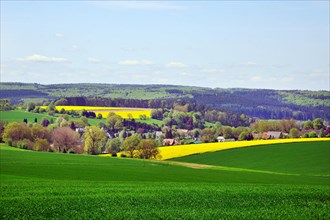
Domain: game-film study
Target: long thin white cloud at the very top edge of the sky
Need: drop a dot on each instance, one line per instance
(138, 5)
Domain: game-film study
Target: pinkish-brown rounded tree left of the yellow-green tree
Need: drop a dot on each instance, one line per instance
(65, 139)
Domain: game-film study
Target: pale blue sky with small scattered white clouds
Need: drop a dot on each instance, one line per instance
(217, 44)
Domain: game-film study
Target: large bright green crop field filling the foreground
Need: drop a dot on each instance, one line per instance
(37, 185)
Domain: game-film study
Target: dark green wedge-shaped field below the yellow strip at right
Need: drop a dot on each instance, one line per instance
(311, 158)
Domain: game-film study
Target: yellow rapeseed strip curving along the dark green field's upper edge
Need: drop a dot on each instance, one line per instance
(184, 150)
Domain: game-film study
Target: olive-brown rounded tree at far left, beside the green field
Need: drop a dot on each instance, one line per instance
(15, 132)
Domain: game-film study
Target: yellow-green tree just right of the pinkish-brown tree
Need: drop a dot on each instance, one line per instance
(94, 139)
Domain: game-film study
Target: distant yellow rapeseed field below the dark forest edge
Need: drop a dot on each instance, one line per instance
(123, 112)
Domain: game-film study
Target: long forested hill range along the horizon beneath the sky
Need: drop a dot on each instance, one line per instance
(262, 103)
